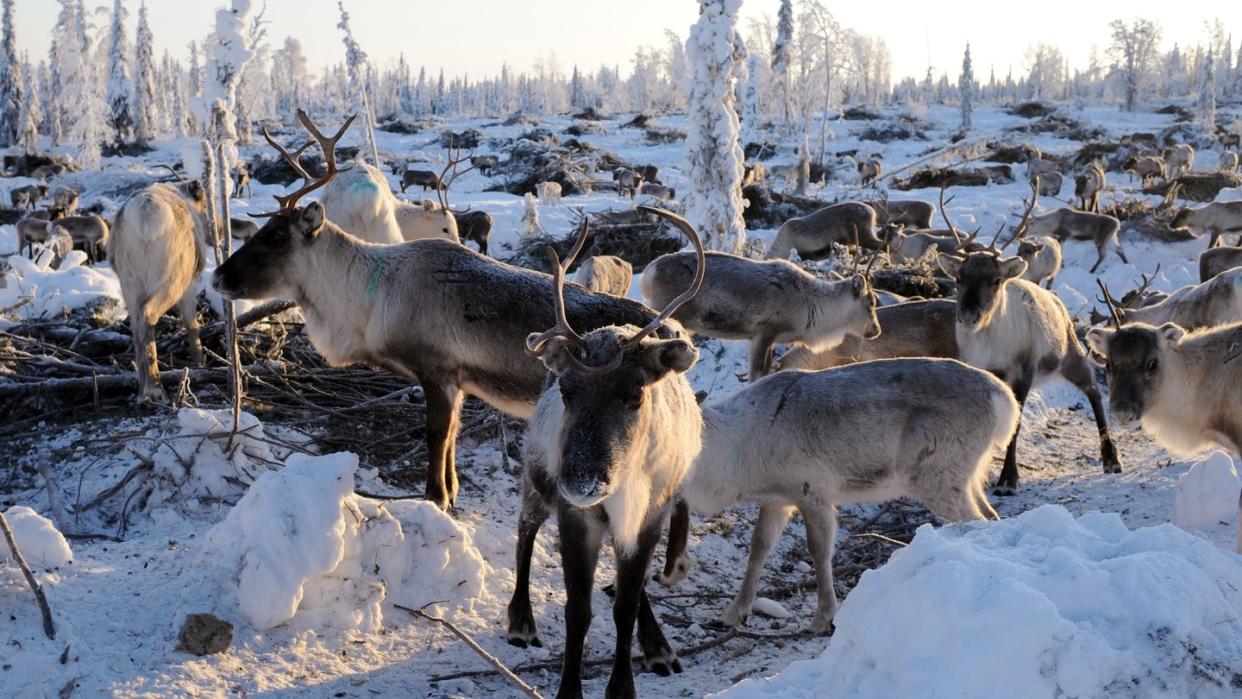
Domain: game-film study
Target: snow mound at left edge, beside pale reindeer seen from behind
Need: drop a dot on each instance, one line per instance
(54, 292)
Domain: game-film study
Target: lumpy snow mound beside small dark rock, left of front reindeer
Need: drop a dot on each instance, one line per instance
(301, 547)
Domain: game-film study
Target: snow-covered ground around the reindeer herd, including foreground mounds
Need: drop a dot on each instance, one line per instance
(271, 538)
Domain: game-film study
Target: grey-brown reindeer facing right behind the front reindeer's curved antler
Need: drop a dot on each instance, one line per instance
(766, 302)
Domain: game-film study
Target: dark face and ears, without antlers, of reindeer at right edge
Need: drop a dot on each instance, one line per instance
(1132, 357)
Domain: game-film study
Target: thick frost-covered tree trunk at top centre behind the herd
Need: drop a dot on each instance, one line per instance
(714, 153)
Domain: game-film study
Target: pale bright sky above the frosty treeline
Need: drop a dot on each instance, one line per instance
(478, 37)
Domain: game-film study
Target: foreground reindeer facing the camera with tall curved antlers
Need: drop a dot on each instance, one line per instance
(612, 439)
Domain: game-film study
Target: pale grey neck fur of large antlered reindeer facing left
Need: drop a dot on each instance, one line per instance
(340, 312)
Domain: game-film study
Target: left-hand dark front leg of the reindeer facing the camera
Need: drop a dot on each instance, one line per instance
(581, 536)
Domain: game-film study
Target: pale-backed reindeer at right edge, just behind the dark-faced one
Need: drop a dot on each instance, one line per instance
(1215, 302)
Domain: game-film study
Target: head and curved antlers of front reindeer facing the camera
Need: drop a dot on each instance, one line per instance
(615, 386)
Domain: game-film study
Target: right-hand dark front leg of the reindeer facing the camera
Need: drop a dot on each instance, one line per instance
(630, 582)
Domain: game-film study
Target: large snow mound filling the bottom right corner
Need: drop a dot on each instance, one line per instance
(1040, 605)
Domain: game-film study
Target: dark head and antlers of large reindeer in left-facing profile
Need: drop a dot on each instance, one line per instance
(263, 269)
